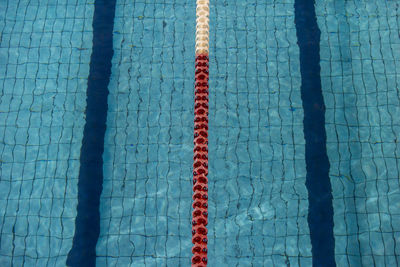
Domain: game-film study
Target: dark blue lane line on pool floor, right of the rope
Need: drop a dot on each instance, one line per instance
(320, 214)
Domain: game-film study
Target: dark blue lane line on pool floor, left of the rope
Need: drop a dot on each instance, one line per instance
(90, 184)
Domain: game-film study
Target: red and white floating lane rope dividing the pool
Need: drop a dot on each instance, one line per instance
(200, 152)
